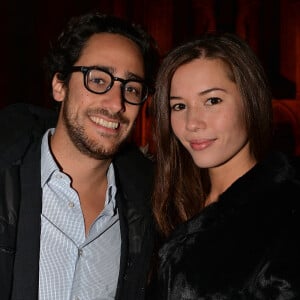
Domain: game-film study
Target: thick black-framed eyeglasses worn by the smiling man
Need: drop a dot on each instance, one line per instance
(100, 81)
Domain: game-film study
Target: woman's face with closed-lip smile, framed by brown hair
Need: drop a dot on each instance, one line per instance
(207, 113)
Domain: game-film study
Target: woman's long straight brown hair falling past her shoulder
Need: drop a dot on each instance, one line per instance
(180, 186)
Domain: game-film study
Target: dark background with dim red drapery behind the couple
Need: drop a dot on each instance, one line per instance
(271, 27)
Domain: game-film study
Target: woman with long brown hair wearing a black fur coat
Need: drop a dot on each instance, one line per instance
(227, 206)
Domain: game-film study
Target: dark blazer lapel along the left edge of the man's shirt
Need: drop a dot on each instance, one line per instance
(26, 267)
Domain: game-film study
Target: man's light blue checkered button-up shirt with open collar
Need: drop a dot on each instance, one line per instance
(73, 265)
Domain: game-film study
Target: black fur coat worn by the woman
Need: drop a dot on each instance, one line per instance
(245, 246)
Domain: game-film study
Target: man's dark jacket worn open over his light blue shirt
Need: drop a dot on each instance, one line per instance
(22, 127)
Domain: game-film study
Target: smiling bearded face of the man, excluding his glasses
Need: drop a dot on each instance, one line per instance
(97, 124)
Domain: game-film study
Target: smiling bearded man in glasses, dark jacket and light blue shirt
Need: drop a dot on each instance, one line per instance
(75, 219)
